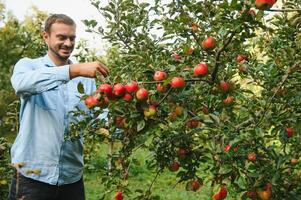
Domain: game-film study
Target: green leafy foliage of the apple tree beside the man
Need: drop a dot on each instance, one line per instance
(244, 145)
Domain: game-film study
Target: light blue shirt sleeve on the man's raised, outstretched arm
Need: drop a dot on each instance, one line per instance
(28, 81)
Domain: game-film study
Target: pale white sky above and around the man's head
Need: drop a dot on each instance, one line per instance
(77, 9)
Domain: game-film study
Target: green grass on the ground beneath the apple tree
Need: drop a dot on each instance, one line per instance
(140, 178)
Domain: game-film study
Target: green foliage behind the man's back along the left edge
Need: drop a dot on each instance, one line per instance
(18, 39)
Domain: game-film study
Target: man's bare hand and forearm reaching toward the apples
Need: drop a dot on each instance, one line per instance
(88, 69)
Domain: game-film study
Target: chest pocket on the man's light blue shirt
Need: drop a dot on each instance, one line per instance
(47, 100)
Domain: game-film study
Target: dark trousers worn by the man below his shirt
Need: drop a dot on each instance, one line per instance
(23, 188)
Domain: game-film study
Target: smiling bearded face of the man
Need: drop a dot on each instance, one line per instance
(60, 40)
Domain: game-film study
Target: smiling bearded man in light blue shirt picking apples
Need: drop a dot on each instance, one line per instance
(47, 165)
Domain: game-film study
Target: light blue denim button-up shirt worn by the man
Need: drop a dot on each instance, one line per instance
(47, 96)
